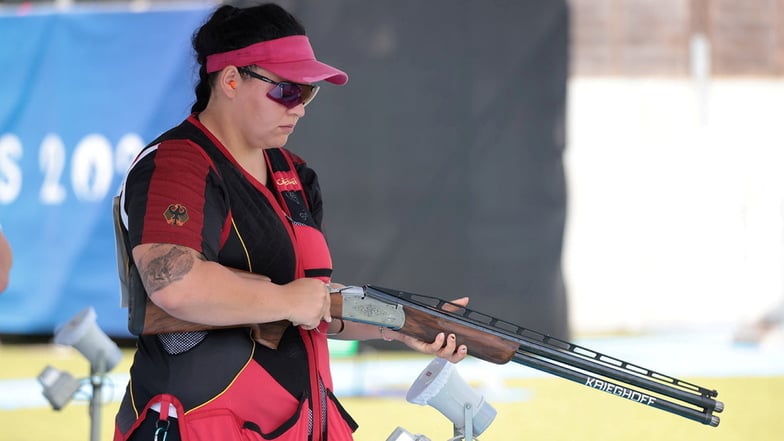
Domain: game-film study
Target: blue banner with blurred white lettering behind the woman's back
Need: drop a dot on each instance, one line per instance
(82, 92)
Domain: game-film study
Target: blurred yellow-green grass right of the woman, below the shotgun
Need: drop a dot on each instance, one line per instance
(559, 410)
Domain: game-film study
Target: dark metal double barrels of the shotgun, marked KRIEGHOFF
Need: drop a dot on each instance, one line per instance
(557, 357)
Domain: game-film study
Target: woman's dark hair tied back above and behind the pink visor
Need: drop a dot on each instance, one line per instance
(230, 28)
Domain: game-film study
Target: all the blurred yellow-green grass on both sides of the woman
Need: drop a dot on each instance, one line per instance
(554, 410)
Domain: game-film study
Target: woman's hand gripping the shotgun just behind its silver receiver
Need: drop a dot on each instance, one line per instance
(310, 302)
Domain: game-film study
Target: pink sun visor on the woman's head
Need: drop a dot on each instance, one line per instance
(291, 58)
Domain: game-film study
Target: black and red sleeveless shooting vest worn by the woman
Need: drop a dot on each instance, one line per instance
(236, 376)
